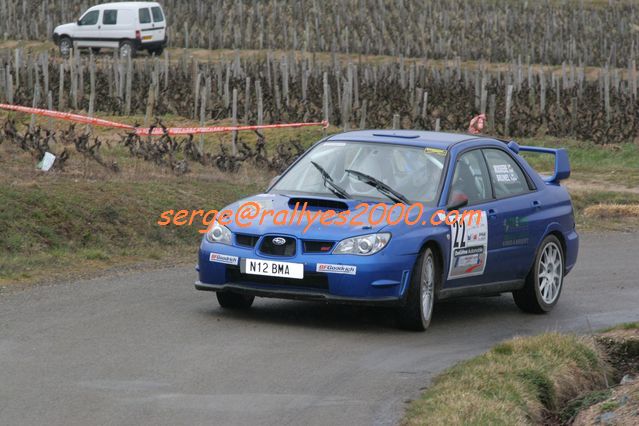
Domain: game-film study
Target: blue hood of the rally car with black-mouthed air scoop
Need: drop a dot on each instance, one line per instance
(289, 220)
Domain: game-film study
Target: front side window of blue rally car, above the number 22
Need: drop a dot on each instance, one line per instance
(470, 179)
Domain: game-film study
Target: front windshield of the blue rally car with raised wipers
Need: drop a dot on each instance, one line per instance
(412, 173)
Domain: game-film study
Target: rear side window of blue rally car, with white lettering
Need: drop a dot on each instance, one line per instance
(507, 177)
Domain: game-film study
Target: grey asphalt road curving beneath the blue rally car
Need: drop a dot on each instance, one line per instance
(146, 348)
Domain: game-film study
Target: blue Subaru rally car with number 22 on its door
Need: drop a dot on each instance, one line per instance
(523, 239)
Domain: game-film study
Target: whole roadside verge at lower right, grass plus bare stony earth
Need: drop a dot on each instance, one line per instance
(552, 379)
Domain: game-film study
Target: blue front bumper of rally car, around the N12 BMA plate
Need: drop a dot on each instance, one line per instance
(379, 279)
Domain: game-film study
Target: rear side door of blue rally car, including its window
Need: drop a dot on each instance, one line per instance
(512, 216)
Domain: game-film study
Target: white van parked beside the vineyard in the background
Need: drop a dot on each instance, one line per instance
(127, 26)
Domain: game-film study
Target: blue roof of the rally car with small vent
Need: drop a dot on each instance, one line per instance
(404, 137)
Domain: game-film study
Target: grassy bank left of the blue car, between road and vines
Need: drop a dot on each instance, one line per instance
(57, 225)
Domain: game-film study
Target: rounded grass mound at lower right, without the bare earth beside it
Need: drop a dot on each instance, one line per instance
(517, 382)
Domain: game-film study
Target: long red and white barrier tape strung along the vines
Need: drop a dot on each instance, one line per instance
(156, 131)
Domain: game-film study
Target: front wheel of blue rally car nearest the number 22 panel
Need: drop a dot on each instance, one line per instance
(415, 315)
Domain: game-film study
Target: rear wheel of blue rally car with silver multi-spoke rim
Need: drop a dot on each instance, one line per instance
(542, 289)
